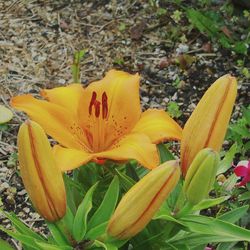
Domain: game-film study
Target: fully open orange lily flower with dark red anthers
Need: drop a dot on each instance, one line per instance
(101, 121)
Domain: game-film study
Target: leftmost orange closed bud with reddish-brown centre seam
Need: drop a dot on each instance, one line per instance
(41, 177)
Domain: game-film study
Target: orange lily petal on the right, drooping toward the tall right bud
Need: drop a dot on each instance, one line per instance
(158, 126)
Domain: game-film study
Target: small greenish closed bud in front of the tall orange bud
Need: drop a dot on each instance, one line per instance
(201, 176)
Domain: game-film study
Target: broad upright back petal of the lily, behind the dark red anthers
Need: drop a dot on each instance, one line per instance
(123, 105)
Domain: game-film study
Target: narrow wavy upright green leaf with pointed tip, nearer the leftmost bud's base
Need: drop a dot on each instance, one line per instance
(80, 221)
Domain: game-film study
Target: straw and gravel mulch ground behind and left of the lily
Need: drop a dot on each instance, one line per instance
(37, 43)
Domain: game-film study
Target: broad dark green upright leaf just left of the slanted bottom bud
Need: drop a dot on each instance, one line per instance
(107, 207)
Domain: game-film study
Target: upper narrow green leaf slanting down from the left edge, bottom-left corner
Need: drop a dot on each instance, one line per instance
(21, 227)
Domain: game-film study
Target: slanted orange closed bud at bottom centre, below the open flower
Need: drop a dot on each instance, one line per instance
(142, 201)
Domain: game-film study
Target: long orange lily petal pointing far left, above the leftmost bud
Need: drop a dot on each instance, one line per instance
(57, 121)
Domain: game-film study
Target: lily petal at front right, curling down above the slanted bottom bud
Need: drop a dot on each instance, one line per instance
(133, 146)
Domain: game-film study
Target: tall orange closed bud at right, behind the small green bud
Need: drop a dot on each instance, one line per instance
(207, 125)
